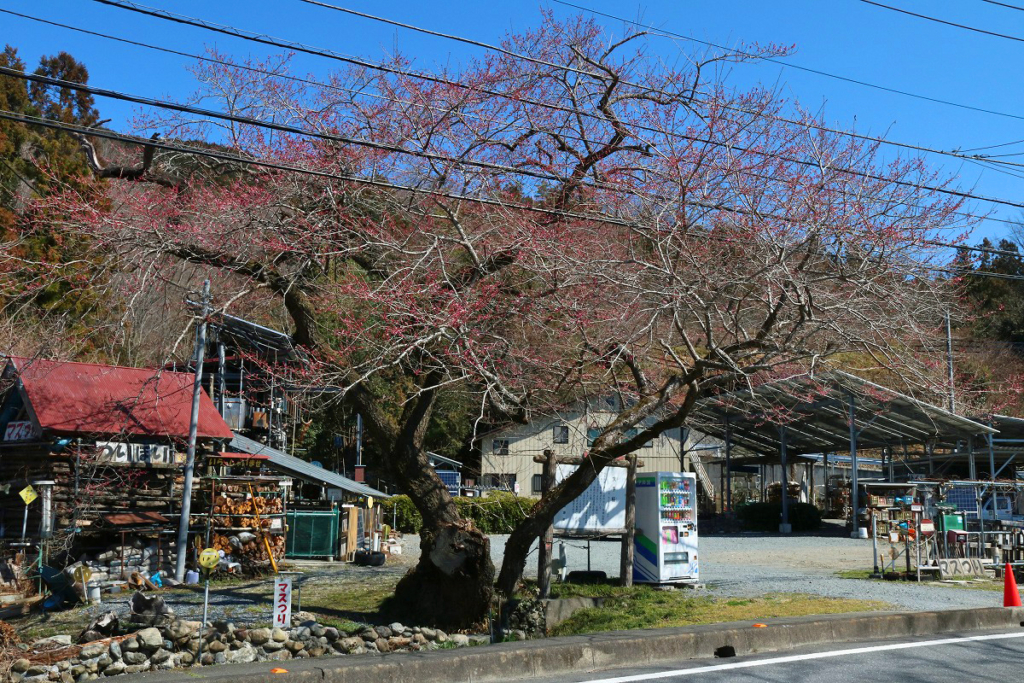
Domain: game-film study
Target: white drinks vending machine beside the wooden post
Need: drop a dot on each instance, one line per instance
(666, 540)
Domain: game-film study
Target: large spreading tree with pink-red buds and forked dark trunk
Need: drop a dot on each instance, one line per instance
(565, 220)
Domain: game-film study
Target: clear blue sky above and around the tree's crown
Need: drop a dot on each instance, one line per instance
(844, 37)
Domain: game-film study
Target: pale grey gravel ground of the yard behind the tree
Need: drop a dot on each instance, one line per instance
(735, 566)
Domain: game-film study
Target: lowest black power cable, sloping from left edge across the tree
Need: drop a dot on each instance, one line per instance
(603, 219)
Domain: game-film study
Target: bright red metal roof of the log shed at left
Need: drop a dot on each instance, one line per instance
(83, 398)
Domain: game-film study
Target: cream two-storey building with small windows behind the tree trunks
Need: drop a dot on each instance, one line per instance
(507, 456)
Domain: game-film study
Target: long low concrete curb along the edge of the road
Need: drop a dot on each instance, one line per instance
(581, 654)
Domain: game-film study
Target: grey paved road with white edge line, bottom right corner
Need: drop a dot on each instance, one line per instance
(990, 657)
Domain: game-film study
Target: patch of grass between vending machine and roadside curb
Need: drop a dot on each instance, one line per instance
(646, 608)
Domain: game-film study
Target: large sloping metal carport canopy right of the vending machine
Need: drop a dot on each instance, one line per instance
(816, 412)
